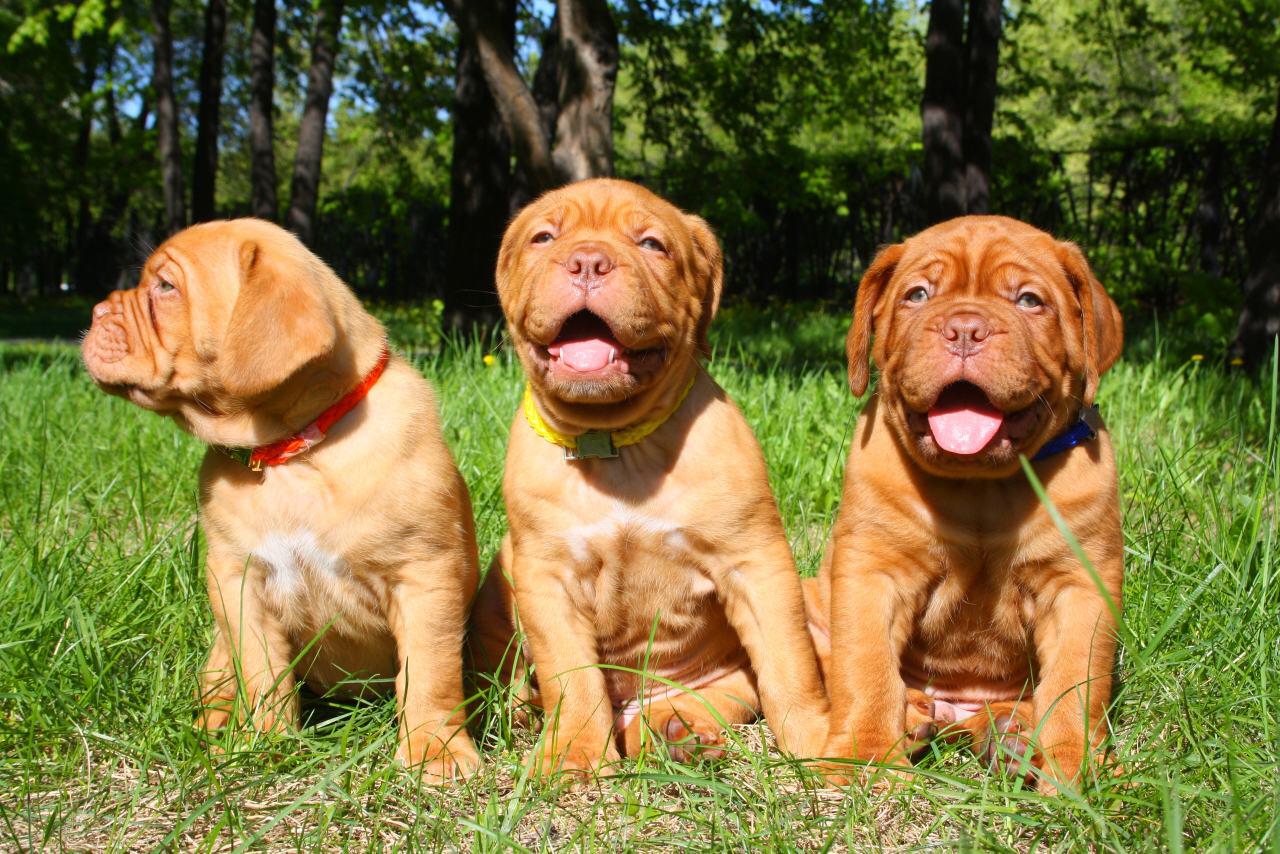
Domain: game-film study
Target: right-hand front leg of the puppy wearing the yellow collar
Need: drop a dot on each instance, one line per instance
(765, 605)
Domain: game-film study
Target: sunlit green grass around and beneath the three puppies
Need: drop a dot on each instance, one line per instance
(106, 627)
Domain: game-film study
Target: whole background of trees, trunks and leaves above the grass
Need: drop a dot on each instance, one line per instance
(399, 139)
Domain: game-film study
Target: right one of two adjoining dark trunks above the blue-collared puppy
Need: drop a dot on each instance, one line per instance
(984, 56)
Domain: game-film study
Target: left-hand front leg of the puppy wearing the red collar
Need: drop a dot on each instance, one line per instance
(252, 645)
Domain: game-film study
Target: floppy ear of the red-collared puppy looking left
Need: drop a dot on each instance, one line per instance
(281, 321)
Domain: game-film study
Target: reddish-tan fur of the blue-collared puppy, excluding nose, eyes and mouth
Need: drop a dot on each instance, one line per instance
(949, 573)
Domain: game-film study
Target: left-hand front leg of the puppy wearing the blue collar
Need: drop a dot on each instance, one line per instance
(871, 624)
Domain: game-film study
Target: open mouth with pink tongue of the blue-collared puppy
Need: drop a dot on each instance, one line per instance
(966, 423)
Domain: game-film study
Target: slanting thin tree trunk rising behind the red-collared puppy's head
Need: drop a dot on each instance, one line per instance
(305, 193)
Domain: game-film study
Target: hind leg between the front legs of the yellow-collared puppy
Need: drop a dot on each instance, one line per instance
(691, 725)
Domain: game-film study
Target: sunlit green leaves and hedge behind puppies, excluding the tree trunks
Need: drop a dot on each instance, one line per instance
(792, 126)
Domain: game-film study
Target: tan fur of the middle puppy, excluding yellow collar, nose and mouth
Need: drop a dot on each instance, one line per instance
(670, 559)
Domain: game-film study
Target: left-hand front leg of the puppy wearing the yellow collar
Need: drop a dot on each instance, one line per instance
(578, 733)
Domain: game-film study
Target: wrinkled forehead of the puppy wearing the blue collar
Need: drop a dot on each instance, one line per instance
(980, 259)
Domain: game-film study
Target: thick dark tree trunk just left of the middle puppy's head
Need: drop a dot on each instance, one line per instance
(481, 186)
